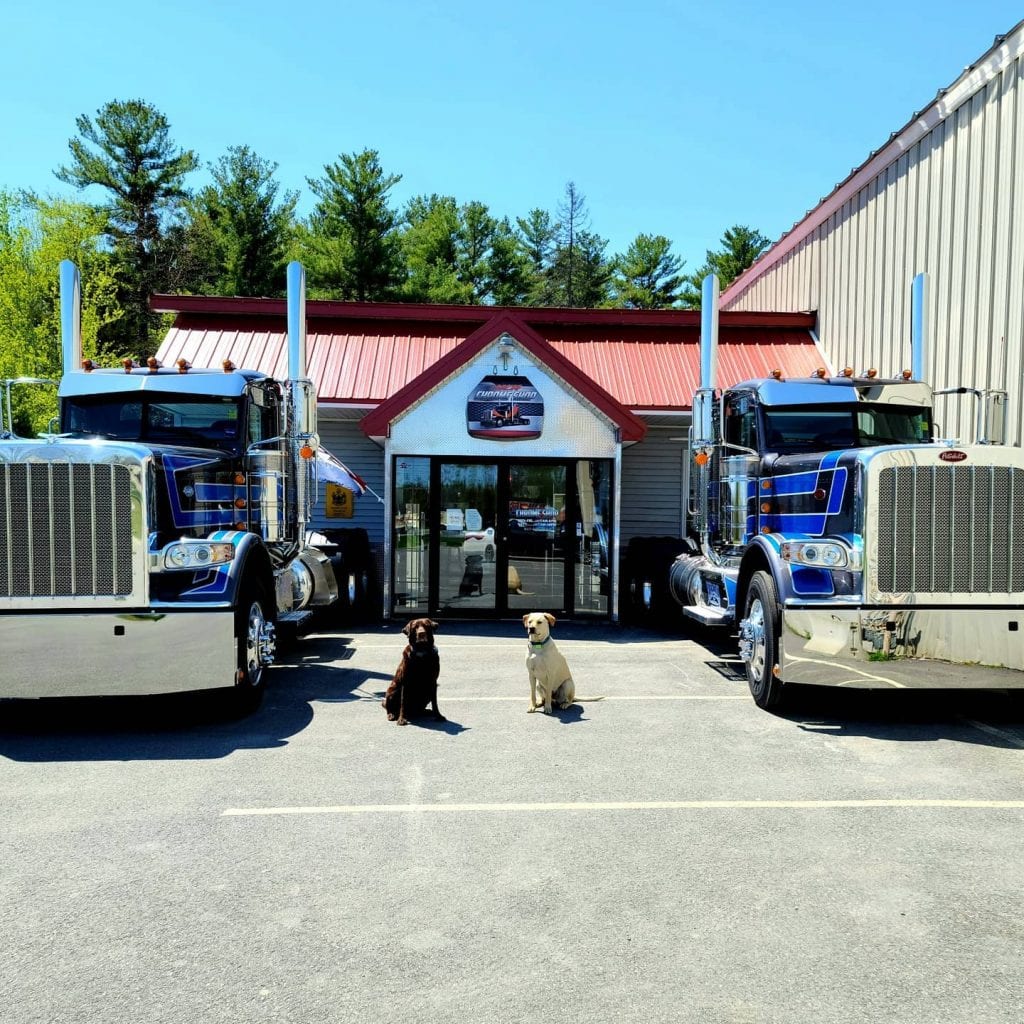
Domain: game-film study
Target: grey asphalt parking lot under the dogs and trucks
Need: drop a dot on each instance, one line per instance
(669, 854)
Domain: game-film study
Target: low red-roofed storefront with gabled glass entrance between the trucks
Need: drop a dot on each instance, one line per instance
(511, 454)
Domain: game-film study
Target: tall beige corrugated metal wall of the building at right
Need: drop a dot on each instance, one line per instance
(953, 205)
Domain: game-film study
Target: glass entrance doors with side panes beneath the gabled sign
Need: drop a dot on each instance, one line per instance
(509, 537)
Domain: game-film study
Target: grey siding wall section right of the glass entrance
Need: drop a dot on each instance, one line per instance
(653, 486)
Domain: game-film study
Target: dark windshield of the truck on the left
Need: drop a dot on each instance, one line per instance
(159, 419)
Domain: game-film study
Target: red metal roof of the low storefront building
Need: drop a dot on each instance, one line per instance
(366, 354)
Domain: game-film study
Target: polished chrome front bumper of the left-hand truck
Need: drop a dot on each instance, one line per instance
(66, 655)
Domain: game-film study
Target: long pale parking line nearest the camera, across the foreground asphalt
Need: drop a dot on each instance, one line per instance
(653, 805)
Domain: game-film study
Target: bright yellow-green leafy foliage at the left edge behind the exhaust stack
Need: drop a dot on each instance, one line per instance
(35, 236)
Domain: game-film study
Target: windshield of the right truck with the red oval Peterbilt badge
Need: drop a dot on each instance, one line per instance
(804, 430)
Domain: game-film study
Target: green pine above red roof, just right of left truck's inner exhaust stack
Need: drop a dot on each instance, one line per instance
(353, 248)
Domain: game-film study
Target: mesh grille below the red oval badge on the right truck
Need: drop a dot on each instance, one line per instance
(951, 530)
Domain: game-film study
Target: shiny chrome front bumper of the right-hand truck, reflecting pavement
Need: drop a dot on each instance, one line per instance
(892, 649)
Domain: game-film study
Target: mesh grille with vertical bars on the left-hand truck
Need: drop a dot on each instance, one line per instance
(67, 530)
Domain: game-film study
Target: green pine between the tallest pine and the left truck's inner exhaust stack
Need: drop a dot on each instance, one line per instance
(236, 236)
